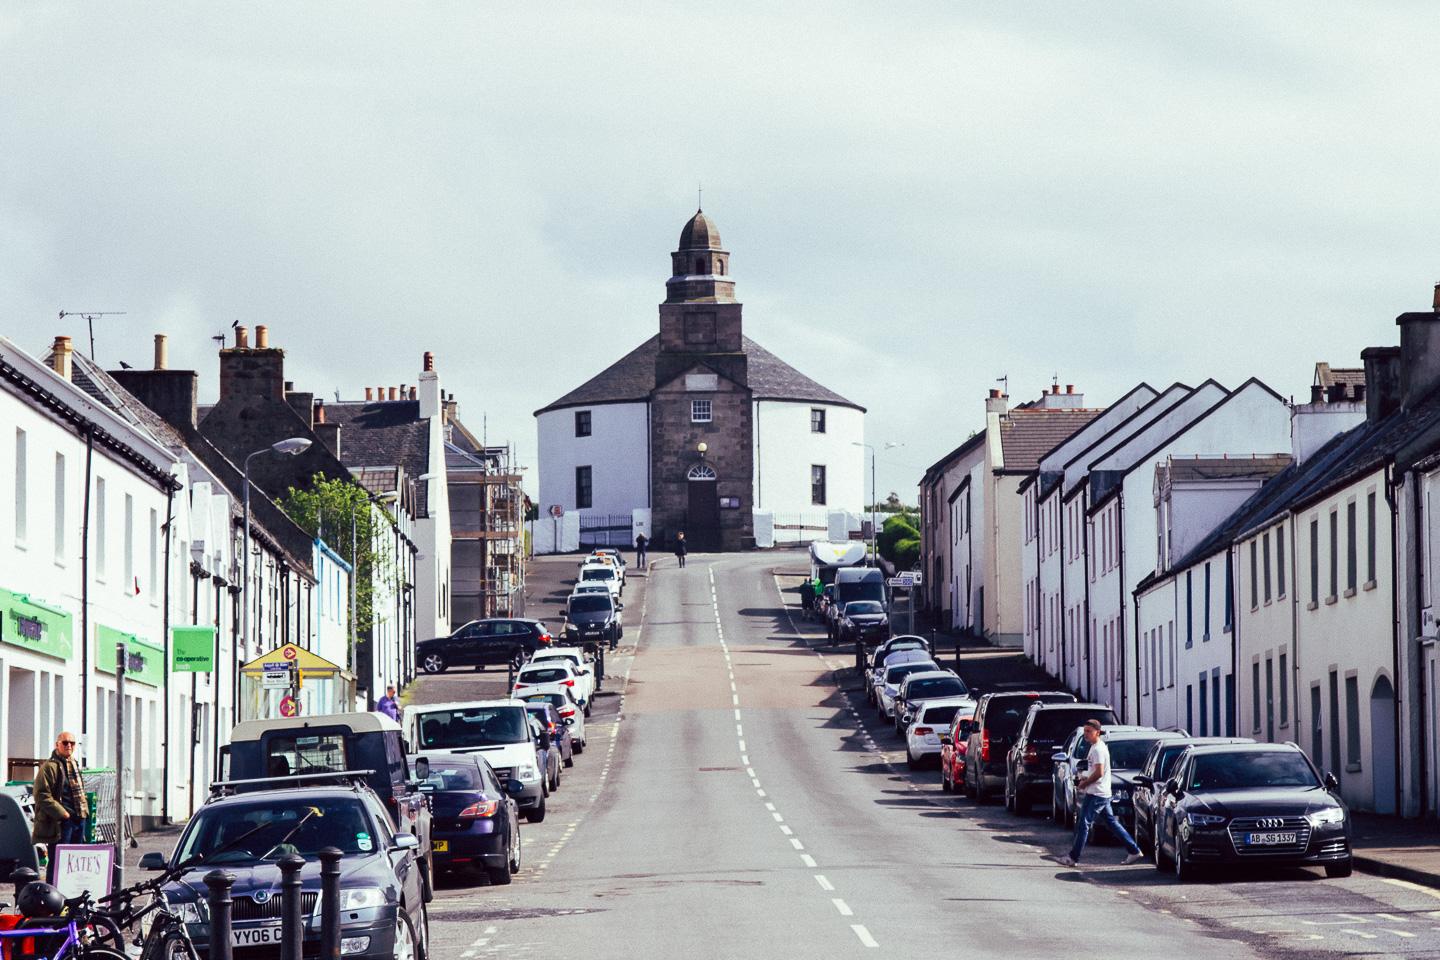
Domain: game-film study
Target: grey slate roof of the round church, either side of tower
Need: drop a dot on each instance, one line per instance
(633, 378)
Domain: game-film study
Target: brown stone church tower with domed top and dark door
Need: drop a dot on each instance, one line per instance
(702, 399)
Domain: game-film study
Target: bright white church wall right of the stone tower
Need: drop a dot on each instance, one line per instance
(786, 450)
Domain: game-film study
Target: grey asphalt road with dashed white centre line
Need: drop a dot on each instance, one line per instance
(739, 801)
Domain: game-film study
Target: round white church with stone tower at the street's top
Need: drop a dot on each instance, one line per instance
(702, 428)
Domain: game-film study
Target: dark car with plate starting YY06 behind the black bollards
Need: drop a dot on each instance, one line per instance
(382, 902)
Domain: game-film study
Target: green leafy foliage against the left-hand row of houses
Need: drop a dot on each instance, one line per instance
(325, 510)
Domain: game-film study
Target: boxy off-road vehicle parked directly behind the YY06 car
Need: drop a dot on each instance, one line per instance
(309, 748)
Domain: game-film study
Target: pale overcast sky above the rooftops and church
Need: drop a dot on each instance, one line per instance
(918, 198)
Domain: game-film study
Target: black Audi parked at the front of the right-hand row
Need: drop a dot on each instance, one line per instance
(1252, 804)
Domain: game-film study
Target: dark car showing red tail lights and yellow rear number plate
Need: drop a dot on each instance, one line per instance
(477, 823)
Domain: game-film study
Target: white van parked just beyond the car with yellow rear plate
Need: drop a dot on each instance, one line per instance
(498, 729)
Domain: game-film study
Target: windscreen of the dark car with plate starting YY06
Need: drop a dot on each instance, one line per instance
(292, 825)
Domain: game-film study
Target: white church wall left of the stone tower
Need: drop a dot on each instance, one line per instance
(617, 453)
